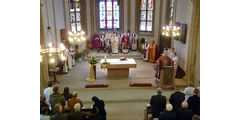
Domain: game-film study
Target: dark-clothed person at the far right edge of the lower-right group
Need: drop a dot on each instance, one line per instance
(194, 102)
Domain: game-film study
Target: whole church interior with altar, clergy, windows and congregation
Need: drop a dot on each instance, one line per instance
(121, 52)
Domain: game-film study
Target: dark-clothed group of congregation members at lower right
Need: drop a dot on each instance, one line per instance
(182, 105)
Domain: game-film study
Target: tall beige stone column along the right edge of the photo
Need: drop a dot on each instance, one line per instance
(193, 64)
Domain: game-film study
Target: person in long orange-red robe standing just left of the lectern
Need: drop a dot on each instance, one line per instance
(153, 50)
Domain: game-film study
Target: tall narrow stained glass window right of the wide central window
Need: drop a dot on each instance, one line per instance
(146, 15)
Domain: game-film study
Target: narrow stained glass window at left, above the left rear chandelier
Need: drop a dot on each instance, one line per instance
(75, 17)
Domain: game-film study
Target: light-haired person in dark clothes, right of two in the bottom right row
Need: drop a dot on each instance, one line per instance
(185, 113)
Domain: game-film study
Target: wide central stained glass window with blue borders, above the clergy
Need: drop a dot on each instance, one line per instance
(108, 14)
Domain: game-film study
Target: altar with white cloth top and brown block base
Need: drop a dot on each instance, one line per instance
(118, 68)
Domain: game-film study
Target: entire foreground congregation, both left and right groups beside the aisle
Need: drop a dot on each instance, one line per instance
(66, 106)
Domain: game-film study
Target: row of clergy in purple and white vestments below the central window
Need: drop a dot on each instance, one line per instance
(112, 42)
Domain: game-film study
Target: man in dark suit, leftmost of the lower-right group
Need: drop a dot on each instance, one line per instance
(158, 103)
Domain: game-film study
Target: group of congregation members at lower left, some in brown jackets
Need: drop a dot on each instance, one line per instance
(66, 106)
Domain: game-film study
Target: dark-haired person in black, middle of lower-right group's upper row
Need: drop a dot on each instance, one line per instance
(176, 99)
